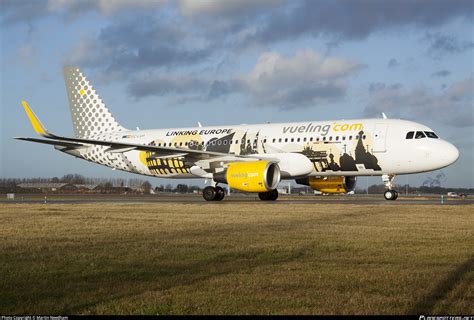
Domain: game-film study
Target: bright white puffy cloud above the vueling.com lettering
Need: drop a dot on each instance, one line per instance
(305, 79)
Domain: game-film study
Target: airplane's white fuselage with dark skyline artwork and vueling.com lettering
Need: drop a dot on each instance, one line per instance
(334, 148)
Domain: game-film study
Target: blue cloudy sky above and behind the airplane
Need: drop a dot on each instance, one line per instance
(162, 64)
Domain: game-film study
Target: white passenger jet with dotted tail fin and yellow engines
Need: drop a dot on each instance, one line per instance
(328, 156)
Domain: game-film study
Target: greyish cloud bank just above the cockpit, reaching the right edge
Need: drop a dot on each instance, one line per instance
(454, 106)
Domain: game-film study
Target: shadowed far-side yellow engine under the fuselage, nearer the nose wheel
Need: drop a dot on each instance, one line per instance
(338, 184)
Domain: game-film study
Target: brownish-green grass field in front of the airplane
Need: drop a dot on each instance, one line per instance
(211, 258)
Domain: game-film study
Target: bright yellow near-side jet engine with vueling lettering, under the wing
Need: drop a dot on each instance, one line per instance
(251, 176)
